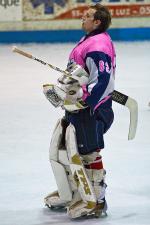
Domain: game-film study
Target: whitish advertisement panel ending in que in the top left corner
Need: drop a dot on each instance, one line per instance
(10, 10)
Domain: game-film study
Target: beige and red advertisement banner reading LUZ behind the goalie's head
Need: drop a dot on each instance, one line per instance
(64, 9)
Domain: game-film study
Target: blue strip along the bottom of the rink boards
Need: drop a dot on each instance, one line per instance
(53, 36)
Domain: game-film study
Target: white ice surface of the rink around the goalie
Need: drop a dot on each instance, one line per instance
(26, 123)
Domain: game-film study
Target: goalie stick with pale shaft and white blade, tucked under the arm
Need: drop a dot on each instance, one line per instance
(118, 97)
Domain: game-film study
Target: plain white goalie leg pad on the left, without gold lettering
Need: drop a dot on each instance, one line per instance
(57, 151)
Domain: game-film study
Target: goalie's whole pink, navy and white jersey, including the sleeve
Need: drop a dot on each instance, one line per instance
(96, 55)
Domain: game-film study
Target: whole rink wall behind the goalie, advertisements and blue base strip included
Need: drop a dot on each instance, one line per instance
(59, 21)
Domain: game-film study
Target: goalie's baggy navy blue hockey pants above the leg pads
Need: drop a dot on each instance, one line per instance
(90, 128)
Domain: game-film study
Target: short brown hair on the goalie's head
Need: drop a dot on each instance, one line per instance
(102, 13)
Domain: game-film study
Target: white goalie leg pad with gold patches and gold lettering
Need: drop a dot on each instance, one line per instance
(86, 202)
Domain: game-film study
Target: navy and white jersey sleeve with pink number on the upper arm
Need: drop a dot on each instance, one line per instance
(101, 81)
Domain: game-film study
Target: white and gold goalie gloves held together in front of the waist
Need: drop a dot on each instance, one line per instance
(68, 92)
